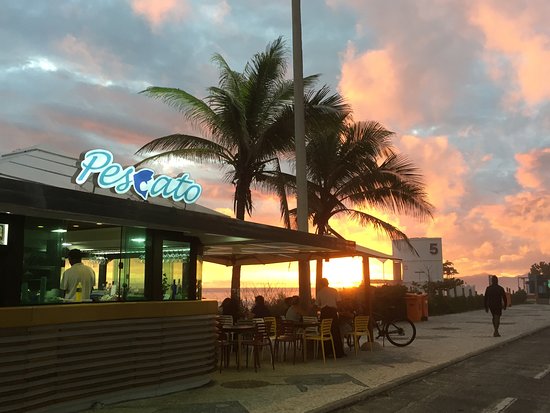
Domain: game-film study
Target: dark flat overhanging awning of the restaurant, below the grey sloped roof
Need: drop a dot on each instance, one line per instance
(226, 240)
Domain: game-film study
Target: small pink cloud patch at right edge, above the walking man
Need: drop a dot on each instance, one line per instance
(534, 169)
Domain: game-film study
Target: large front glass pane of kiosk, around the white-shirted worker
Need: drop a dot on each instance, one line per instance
(116, 254)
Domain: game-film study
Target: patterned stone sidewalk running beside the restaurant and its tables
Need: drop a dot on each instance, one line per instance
(317, 387)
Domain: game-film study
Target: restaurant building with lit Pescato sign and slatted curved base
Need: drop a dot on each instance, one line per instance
(145, 330)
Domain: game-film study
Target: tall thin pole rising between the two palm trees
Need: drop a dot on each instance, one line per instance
(299, 139)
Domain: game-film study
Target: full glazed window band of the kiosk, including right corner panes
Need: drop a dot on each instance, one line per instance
(116, 254)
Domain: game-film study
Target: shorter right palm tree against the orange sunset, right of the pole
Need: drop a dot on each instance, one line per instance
(353, 165)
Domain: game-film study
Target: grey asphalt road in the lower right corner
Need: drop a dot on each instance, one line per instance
(514, 378)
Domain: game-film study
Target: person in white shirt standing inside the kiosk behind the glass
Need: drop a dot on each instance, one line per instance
(78, 277)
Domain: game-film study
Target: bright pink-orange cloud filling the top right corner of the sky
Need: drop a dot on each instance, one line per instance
(517, 45)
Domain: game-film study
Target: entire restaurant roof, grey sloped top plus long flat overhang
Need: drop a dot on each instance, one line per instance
(37, 182)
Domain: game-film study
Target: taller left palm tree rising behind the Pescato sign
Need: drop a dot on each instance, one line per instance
(248, 121)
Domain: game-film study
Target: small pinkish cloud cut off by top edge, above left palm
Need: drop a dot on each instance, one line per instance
(158, 12)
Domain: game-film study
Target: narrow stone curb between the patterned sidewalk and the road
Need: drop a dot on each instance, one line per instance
(365, 394)
